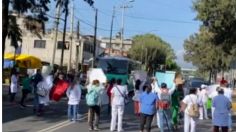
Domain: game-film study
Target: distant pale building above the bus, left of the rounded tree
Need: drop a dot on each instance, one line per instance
(115, 48)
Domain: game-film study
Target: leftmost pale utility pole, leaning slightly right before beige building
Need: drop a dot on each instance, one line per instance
(55, 37)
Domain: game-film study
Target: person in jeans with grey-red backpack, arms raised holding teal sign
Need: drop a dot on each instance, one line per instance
(164, 104)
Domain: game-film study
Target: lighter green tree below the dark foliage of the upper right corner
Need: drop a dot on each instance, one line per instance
(201, 51)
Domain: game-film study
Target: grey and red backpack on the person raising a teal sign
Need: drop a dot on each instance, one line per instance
(165, 100)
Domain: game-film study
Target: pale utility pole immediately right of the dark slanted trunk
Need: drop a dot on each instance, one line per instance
(71, 35)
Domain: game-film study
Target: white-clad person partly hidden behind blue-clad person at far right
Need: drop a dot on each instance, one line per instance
(228, 93)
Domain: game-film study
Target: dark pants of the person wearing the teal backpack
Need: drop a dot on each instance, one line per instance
(94, 111)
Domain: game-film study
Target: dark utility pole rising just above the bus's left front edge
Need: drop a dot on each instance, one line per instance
(95, 38)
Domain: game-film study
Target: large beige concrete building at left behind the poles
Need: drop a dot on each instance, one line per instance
(42, 47)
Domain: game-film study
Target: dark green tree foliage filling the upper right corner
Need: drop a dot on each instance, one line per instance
(218, 16)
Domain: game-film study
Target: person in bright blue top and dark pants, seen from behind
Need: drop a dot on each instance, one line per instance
(148, 102)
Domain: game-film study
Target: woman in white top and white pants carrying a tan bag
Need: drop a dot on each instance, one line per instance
(185, 106)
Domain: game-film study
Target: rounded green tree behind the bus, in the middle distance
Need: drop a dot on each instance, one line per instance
(151, 50)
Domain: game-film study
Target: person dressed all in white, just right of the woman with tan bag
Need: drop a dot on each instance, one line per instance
(202, 100)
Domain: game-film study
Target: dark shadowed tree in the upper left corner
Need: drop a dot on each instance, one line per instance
(36, 13)
